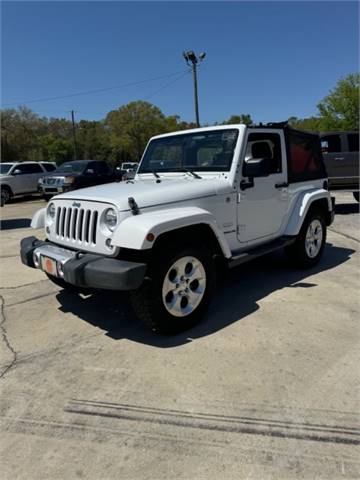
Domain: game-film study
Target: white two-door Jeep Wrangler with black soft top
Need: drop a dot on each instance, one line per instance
(219, 194)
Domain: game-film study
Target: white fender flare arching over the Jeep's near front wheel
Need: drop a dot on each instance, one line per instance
(132, 232)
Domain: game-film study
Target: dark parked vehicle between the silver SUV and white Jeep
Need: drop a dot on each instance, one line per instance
(76, 174)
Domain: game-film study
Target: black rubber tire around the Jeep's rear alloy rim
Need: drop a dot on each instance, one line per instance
(298, 252)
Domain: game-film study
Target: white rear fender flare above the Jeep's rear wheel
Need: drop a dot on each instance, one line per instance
(301, 208)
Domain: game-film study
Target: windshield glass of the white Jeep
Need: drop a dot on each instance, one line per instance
(199, 151)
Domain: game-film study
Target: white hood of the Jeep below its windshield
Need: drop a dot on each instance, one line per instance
(148, 193)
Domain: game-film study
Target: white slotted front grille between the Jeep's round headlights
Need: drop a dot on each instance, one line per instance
(76, 225)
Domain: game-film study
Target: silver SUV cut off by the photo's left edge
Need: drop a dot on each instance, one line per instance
(21, 178)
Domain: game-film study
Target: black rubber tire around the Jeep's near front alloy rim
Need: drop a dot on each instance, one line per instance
(148, 302)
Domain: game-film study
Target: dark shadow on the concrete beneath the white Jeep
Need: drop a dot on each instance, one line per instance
(237, 297)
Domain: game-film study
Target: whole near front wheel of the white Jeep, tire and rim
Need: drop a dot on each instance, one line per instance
(178, 291)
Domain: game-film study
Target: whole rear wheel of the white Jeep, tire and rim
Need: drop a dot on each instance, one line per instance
(310, 242)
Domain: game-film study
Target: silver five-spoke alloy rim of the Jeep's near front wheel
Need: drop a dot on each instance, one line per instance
(184, 286)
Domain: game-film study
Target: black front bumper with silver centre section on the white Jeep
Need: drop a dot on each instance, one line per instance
(84, 269)
